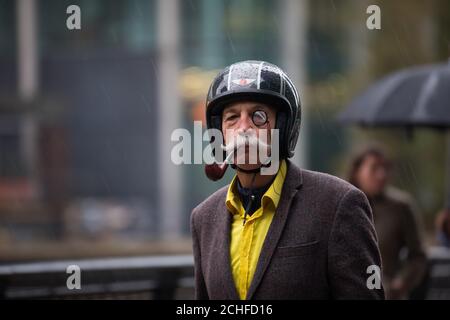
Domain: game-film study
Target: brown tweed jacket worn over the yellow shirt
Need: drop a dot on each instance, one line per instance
(320, 244)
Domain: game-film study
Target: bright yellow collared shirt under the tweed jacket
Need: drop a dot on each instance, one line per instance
(247, 240)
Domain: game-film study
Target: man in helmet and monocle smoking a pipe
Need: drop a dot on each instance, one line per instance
(302, 234)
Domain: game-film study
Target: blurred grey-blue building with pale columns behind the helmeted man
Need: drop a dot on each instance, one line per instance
(87, 115)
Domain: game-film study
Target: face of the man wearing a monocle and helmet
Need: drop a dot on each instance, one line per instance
(247, 118)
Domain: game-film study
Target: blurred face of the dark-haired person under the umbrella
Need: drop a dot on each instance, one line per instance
(372, 175)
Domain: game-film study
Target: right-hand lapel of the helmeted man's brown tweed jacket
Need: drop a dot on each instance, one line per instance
(292, 183)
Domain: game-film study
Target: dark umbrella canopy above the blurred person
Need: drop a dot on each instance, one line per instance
(417, 96)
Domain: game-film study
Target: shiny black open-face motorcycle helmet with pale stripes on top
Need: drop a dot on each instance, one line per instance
(263, 82)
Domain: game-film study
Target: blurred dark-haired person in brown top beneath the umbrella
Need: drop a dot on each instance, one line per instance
(396, 223)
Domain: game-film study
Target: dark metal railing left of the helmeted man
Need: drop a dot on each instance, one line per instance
(152, 277)
